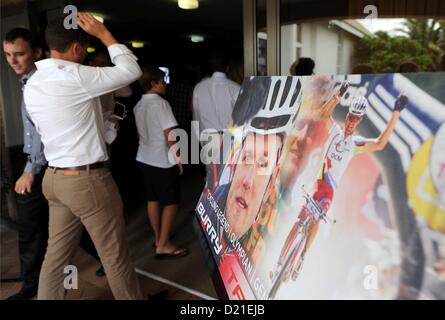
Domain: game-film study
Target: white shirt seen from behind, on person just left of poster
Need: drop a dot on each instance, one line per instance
(213, 102)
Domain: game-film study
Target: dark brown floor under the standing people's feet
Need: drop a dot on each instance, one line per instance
(184, 278)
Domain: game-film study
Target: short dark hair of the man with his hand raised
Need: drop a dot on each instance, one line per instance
(60, 39)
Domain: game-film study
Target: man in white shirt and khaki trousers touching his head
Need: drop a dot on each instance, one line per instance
(63, 101)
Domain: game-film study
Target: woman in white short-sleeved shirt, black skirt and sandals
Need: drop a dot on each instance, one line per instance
(159, 165)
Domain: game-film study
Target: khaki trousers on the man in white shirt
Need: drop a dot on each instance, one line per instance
(87, 198)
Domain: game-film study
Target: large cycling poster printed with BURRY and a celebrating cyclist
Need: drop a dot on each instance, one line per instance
(331, 187)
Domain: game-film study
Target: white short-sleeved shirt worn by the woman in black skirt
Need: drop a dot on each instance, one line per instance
(153, 115)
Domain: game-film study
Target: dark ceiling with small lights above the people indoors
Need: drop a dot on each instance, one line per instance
(164, 28)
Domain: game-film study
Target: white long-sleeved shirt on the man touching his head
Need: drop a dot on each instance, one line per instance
(63, 101)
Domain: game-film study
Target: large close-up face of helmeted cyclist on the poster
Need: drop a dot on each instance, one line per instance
(256, 164)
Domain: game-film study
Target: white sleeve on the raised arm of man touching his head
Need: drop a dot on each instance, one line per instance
(97, 81)
